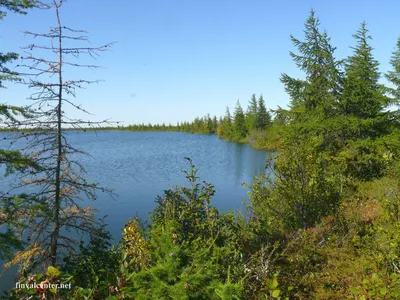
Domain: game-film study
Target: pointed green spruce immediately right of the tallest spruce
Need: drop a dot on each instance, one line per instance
(366, 126)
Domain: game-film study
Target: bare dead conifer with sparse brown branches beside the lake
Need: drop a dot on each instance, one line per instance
(60, 185)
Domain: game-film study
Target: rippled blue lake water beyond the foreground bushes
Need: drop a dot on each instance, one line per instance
(138, 166)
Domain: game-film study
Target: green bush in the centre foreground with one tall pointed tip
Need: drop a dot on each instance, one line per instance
(191, 246)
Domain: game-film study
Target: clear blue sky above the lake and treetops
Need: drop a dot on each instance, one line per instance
(178, 59)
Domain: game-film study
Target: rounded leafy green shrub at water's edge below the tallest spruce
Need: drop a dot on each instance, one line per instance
(309, 183)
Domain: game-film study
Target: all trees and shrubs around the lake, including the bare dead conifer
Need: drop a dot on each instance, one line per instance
(324, 225)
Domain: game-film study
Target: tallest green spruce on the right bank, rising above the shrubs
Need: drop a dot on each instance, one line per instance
(315, 99)
